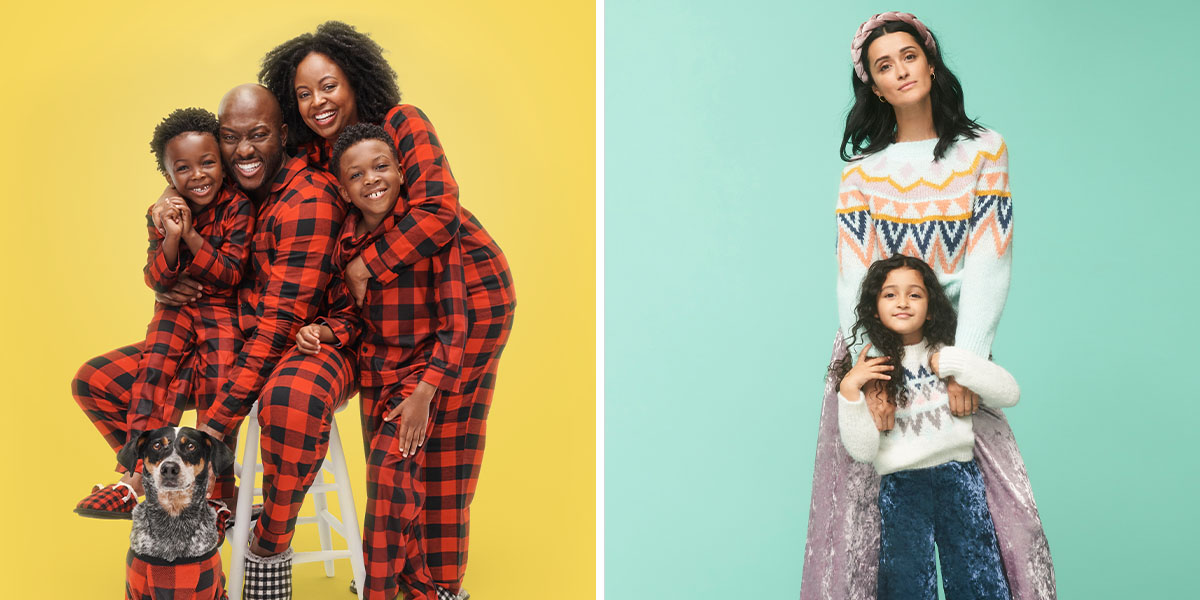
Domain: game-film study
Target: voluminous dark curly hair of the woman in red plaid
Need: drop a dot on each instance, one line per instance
(370, 76)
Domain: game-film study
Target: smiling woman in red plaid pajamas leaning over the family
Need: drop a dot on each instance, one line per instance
(337, 77)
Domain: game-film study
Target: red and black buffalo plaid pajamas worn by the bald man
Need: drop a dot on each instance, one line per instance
(292, 265)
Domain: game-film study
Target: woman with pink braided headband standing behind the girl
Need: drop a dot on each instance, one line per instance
(927, 182)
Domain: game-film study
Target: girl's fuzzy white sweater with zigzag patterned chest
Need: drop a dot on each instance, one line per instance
(926, 434)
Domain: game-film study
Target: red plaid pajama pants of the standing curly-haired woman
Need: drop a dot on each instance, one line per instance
(455, 451)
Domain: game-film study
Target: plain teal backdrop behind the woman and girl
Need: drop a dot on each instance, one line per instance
(722, 127)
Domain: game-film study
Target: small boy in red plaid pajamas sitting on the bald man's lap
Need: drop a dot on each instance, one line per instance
(188, 349)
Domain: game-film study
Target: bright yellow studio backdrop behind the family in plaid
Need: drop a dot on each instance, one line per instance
(511, 88)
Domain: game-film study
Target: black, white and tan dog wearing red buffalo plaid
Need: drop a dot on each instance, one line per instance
(175, 543)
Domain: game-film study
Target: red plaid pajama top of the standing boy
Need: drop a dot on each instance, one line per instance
(416, 323)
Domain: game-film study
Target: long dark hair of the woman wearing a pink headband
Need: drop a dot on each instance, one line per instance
(872, 125)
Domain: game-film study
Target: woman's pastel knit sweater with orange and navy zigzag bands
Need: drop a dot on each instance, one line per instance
(955, 214)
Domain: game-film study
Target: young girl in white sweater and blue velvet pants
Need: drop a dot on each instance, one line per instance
(931, 489)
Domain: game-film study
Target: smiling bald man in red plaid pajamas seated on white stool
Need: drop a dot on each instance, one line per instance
(298, 218)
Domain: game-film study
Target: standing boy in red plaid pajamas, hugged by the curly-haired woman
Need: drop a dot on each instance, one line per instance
(411, 349)
